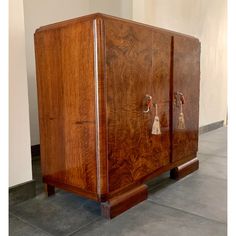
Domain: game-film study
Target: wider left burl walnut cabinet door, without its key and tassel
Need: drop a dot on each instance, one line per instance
(137, 63)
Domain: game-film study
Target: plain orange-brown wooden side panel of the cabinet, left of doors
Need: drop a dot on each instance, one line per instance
(65, 79)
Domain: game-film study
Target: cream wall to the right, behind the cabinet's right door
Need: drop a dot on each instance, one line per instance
(205, 19)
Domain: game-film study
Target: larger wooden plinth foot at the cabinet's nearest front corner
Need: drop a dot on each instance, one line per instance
(123, 202)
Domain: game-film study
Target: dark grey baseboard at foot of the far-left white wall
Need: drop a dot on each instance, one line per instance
(22, 192)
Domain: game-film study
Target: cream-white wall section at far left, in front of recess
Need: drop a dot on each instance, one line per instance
(19, 134)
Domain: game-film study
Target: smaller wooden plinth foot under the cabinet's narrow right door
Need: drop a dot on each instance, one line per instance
(185, 169)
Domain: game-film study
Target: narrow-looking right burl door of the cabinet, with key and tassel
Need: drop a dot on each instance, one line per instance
(185, 89)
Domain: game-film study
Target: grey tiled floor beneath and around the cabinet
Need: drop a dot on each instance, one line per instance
(195, 205)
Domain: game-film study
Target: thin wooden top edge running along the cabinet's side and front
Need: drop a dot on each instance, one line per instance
(104, 16)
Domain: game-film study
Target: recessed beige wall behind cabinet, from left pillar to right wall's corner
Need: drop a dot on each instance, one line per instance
(43, 12)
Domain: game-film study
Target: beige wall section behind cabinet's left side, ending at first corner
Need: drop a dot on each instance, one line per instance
(39, 13)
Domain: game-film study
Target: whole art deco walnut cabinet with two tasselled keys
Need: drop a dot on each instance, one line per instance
(118, 105)
